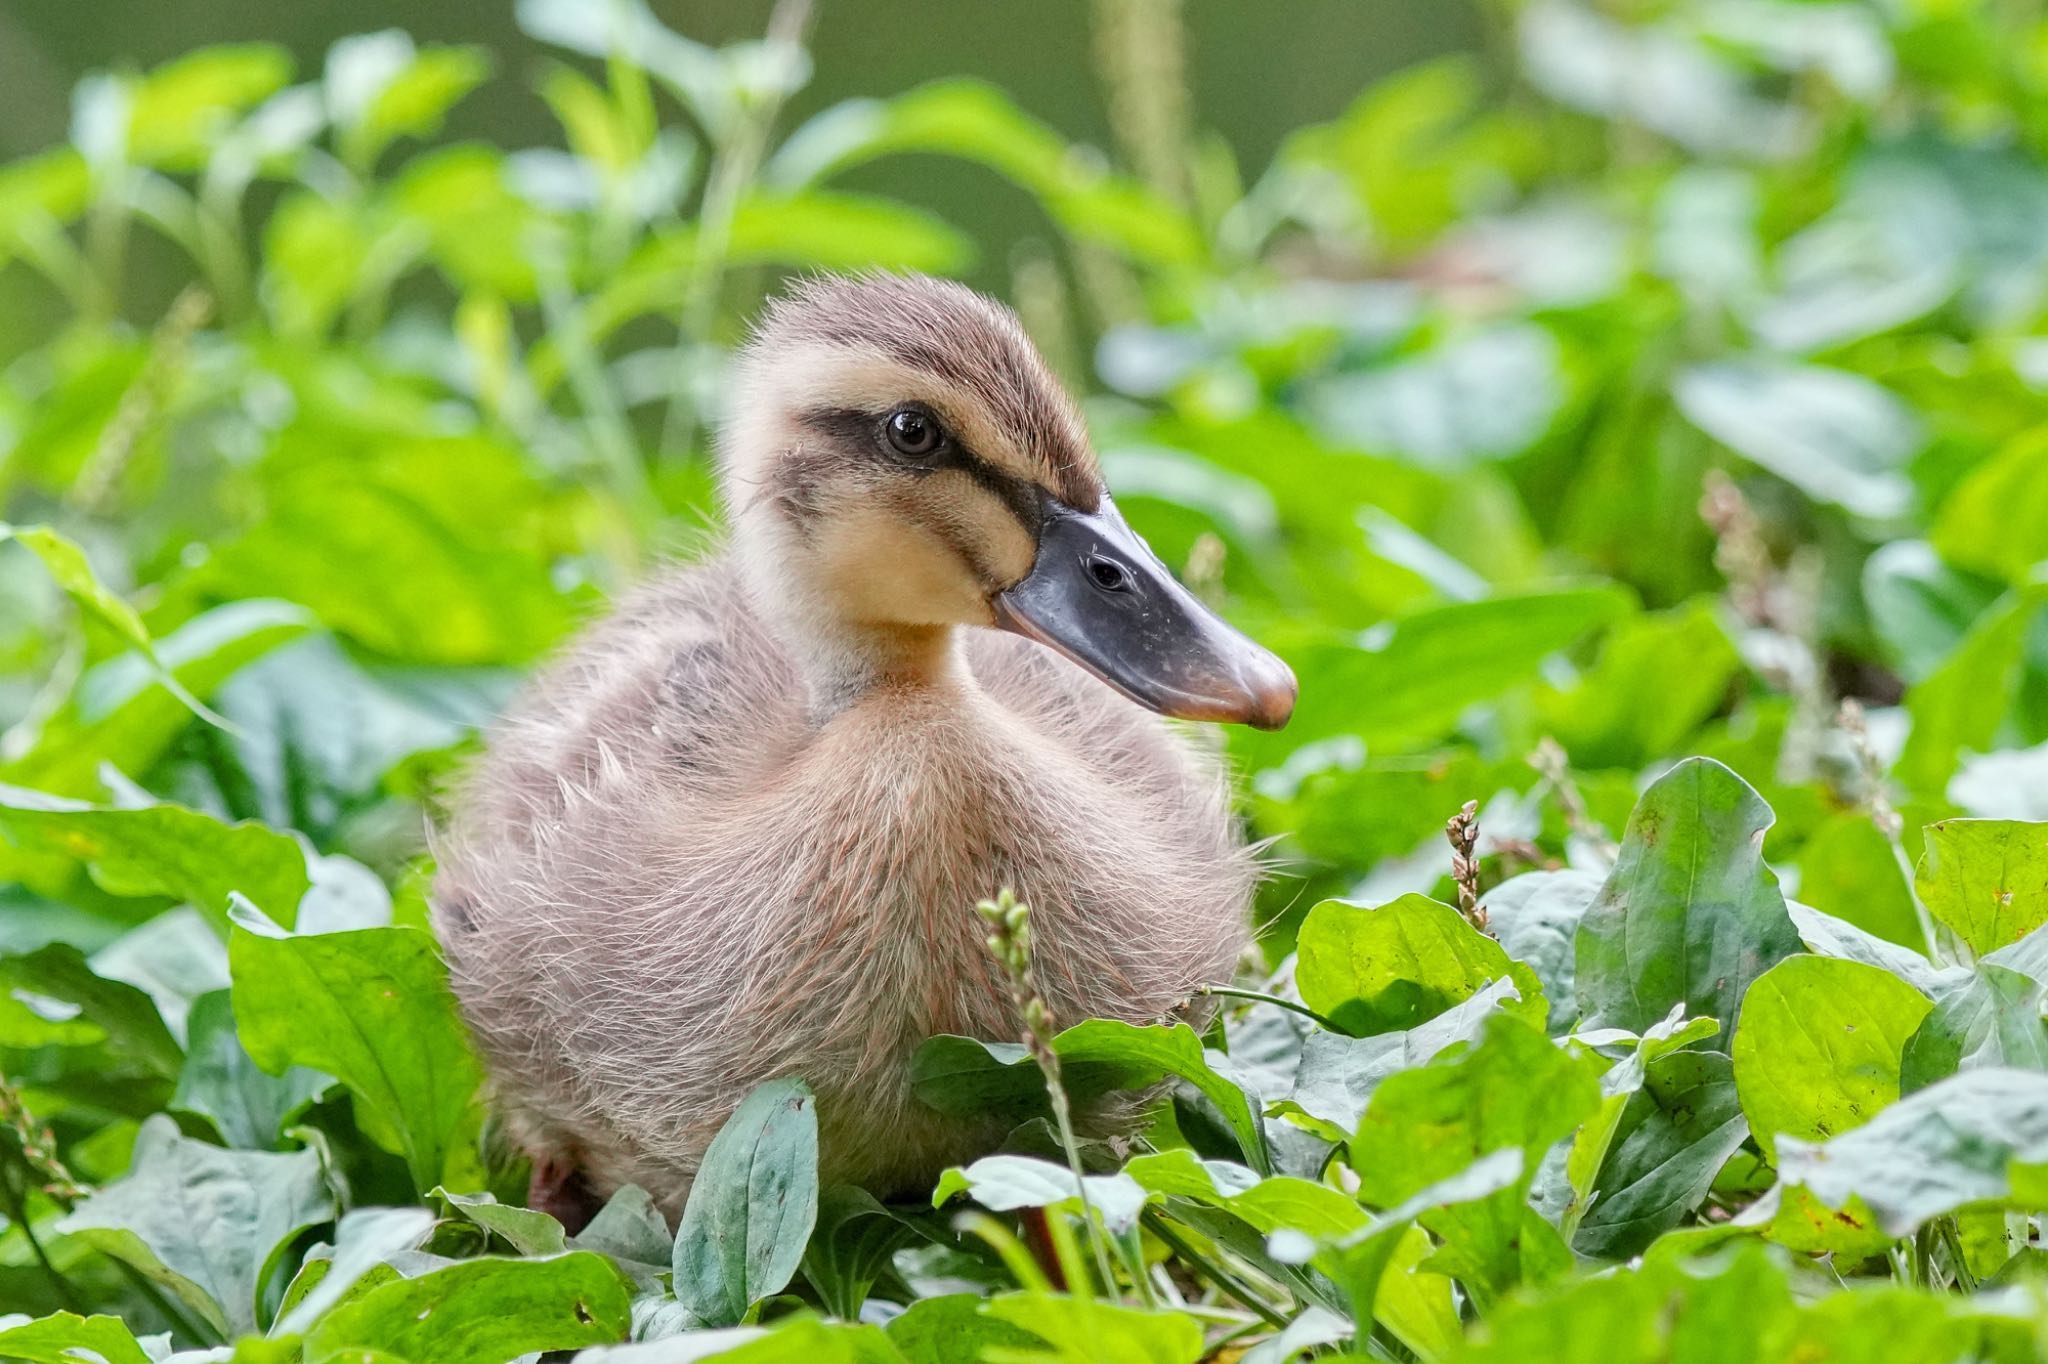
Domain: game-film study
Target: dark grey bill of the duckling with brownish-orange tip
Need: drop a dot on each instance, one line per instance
(1101, 597)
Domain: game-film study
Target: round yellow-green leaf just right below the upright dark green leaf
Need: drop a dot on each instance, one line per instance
(1820, 1048)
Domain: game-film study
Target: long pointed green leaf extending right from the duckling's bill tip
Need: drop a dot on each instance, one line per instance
(1410, 679)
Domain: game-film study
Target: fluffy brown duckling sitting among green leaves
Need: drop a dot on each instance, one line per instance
(738, 830)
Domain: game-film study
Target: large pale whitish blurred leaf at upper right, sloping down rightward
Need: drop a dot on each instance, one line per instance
(1834, 435)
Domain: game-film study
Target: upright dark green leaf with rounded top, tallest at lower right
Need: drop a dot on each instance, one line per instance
(1691, 914)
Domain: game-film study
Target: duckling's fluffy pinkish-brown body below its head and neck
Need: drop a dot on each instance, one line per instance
(663, 886)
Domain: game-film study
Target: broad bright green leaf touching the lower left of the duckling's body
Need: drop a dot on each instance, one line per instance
(372, 1009)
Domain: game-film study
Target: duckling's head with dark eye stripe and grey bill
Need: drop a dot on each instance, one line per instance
(898, 462)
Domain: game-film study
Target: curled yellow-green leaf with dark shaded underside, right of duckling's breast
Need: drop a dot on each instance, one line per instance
(1394, 968)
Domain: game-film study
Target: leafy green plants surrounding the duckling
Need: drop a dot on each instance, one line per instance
(1635, 433)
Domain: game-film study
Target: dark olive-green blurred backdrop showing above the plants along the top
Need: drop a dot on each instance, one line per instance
(1256, 73)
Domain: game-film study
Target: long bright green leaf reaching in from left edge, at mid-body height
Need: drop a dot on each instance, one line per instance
(161, 851)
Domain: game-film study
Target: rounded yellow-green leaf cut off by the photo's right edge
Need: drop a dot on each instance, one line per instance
(1986, 880)
